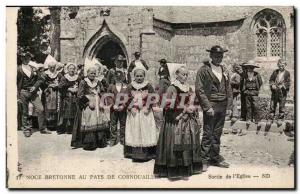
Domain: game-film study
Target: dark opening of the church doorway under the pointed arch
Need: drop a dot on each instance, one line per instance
(108, 52)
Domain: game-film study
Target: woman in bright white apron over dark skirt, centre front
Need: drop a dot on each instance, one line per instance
(140, 132)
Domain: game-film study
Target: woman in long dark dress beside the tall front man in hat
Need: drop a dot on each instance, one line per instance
(178, 149)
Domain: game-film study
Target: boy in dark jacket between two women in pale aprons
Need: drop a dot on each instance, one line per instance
(118, 111)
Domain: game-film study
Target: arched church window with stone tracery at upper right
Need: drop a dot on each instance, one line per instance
(269, 30)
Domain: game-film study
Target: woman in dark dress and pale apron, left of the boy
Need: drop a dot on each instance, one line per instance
(92, 126)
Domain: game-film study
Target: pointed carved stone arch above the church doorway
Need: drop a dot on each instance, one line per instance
(106, 33)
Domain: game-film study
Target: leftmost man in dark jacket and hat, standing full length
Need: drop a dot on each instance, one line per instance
(28, 84)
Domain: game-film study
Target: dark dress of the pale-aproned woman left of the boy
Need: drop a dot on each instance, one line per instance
(89, 137)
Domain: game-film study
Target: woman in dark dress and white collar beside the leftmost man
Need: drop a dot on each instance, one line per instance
(50, 95)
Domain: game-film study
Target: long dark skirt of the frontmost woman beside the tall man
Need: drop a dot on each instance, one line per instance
(176, 164)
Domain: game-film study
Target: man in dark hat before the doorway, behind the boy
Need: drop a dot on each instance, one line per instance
(118, 66)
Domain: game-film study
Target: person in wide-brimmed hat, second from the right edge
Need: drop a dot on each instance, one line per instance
(251, 84)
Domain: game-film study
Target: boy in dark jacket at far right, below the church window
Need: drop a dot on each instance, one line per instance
(280, 82)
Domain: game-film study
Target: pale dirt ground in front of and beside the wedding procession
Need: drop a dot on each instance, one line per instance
(52, 154)
